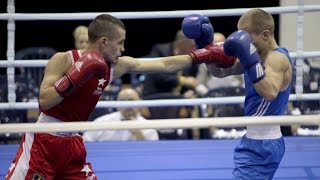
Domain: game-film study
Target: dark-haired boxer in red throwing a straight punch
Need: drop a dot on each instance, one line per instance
(70, 90)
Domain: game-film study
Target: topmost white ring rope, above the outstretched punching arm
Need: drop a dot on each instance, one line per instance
(152, 14)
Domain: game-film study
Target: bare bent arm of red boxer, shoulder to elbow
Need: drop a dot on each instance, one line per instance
(57, 66)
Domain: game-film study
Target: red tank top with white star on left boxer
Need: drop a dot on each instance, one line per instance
(79, 105)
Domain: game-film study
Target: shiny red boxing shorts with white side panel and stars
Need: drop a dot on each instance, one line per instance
(51, 156)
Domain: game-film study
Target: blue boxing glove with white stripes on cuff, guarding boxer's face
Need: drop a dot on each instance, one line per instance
(239, 44)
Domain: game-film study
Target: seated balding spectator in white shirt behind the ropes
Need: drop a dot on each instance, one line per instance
(123, 114)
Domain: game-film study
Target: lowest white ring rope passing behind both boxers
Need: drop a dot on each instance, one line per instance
(164, 102)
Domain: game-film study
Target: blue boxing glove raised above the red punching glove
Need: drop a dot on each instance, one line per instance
(199, 28)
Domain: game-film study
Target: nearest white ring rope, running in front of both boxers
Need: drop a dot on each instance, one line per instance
(160, 124)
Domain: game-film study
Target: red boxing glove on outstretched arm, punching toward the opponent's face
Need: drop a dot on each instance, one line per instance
(213, 53)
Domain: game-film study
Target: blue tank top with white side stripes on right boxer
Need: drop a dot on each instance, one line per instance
(256, 105)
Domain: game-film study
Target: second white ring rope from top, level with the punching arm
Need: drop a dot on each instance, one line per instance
(43, 62)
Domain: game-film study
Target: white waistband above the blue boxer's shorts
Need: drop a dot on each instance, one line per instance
(263, 132)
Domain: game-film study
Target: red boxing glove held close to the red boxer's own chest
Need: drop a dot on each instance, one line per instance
(90, 64)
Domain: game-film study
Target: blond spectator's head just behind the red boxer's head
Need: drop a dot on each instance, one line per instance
(80, 35)
